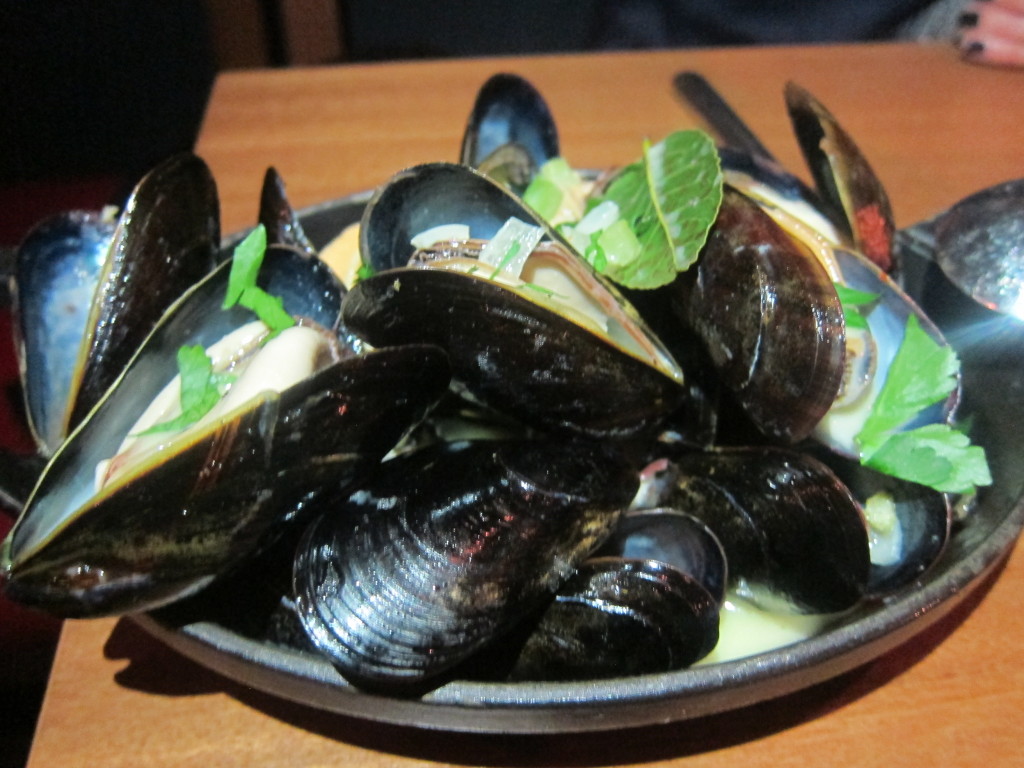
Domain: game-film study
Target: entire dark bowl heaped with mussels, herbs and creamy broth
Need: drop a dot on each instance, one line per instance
(506, 446)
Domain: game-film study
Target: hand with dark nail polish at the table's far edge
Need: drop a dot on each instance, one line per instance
(992, 32)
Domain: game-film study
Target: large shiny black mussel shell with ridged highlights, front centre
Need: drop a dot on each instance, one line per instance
(445, 551)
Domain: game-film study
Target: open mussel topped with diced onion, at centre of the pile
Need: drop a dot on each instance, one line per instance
(511, 350)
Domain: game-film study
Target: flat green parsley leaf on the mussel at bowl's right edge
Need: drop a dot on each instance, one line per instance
(922, 374)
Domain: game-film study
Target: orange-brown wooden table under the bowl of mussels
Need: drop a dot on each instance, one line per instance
(934, 129)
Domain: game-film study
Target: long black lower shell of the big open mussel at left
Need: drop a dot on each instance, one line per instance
(223, 498)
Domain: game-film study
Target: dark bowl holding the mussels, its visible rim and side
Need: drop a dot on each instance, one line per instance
(251, 644)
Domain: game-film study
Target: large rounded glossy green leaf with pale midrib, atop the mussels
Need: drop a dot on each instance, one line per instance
(670, 200)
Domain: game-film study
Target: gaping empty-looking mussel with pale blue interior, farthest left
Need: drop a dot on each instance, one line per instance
(166, 239)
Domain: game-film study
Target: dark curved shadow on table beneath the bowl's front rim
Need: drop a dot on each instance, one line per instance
(156, 669)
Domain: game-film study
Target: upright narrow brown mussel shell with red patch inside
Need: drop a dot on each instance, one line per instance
(843, 177)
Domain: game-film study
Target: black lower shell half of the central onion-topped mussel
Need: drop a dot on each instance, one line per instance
(514, 355)
